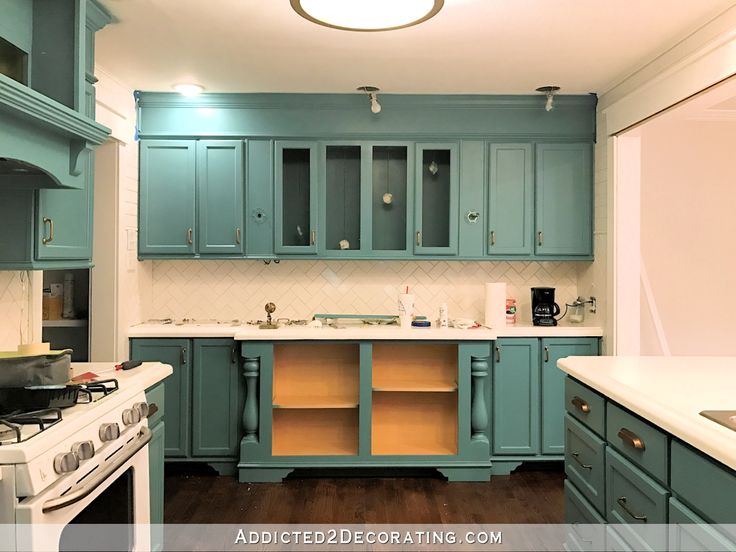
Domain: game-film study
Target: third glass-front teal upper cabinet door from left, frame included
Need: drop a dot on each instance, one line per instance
(392, 199)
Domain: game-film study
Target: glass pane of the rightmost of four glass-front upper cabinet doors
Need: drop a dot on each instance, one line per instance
(436, 198)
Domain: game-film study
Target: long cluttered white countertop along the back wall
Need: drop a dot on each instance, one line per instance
(252, 333)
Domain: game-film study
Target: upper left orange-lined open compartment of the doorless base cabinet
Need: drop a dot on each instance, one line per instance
(316, 376)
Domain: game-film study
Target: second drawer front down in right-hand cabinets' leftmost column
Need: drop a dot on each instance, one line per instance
(585, 461)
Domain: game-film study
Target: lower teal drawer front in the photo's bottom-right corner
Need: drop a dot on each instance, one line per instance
(688, 531)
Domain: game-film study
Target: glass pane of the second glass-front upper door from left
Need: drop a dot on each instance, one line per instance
(343, 197)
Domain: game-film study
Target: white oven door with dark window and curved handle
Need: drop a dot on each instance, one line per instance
(106, 510)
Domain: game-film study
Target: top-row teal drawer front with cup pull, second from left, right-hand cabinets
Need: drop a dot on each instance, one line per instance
(640, 442)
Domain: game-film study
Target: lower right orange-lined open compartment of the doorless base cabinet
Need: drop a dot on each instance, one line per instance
(411, 423)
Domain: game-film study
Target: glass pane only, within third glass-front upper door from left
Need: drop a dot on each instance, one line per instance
(389, 198)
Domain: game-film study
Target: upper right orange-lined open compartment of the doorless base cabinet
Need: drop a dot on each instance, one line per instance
(420, 367)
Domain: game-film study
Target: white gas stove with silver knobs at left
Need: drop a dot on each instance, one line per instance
(89, 466)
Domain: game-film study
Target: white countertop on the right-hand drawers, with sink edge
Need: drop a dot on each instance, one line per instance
(670, 392)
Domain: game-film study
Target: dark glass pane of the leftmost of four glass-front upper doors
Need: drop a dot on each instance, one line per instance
(296, 195)
